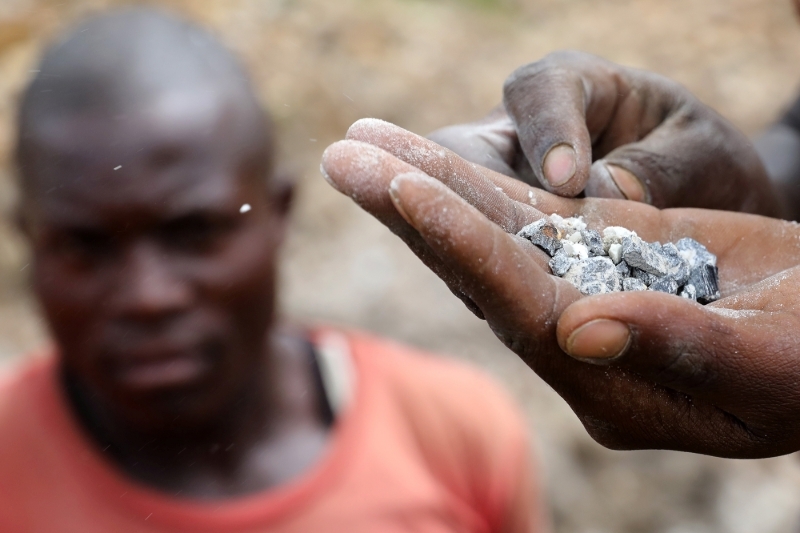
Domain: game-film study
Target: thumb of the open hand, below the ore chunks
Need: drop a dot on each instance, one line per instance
(732, 358)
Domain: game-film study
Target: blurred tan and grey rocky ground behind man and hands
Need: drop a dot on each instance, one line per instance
(319, 65)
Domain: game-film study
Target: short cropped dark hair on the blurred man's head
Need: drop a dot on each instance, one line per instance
(113, 63)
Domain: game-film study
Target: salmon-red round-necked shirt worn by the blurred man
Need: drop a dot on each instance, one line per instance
(426, 445)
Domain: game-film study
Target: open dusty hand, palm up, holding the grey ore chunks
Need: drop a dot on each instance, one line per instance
(640, 369)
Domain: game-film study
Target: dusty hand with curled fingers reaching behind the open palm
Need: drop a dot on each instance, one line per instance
(574, 123)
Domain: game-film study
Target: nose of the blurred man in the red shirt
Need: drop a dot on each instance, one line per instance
(148, 286)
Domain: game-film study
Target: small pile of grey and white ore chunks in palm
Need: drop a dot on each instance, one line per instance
(620, 260)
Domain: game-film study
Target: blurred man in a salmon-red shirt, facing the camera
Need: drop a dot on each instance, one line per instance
(173, 399)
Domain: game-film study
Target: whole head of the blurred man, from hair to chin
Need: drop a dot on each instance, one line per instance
(146, 172)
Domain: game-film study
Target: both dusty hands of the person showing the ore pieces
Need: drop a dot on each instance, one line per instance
(640, 369)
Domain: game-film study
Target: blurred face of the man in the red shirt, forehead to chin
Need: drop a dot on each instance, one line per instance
(156, 281)
